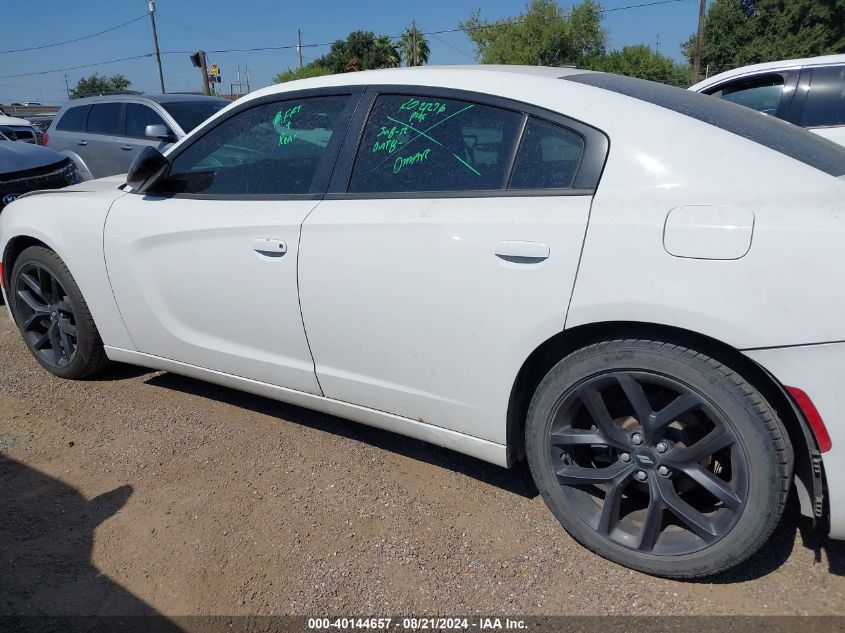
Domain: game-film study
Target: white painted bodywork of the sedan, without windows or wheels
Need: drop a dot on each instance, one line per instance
(405, 302)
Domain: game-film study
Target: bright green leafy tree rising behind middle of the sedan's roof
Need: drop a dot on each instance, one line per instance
(544, 35)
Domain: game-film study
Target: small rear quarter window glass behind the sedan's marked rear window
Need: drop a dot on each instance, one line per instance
(548, 157)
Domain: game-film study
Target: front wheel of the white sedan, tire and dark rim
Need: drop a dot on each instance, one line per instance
(53, 317)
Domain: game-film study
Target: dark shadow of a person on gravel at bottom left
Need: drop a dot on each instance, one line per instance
(46, 538)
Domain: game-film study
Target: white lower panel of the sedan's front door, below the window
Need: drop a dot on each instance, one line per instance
(192, 286)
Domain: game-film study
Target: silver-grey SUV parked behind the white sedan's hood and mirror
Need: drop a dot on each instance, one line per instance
(104, 134)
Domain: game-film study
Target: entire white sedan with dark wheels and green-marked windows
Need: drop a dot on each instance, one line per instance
(635, 287)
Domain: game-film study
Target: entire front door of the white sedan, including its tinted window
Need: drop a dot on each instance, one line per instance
(204, 269)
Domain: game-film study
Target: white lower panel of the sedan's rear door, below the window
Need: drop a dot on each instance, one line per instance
(412, 285)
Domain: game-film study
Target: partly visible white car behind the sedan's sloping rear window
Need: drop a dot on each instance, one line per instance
(807, 92)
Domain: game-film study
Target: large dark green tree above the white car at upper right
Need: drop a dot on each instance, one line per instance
(741, 32)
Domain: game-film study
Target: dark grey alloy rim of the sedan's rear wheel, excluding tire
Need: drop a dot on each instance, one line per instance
(648, 462)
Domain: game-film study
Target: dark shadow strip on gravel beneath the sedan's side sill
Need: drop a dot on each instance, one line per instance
(517, 481)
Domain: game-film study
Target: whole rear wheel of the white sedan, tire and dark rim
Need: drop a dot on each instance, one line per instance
(658, 457)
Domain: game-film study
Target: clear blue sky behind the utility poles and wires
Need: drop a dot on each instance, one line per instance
(187, 25)
